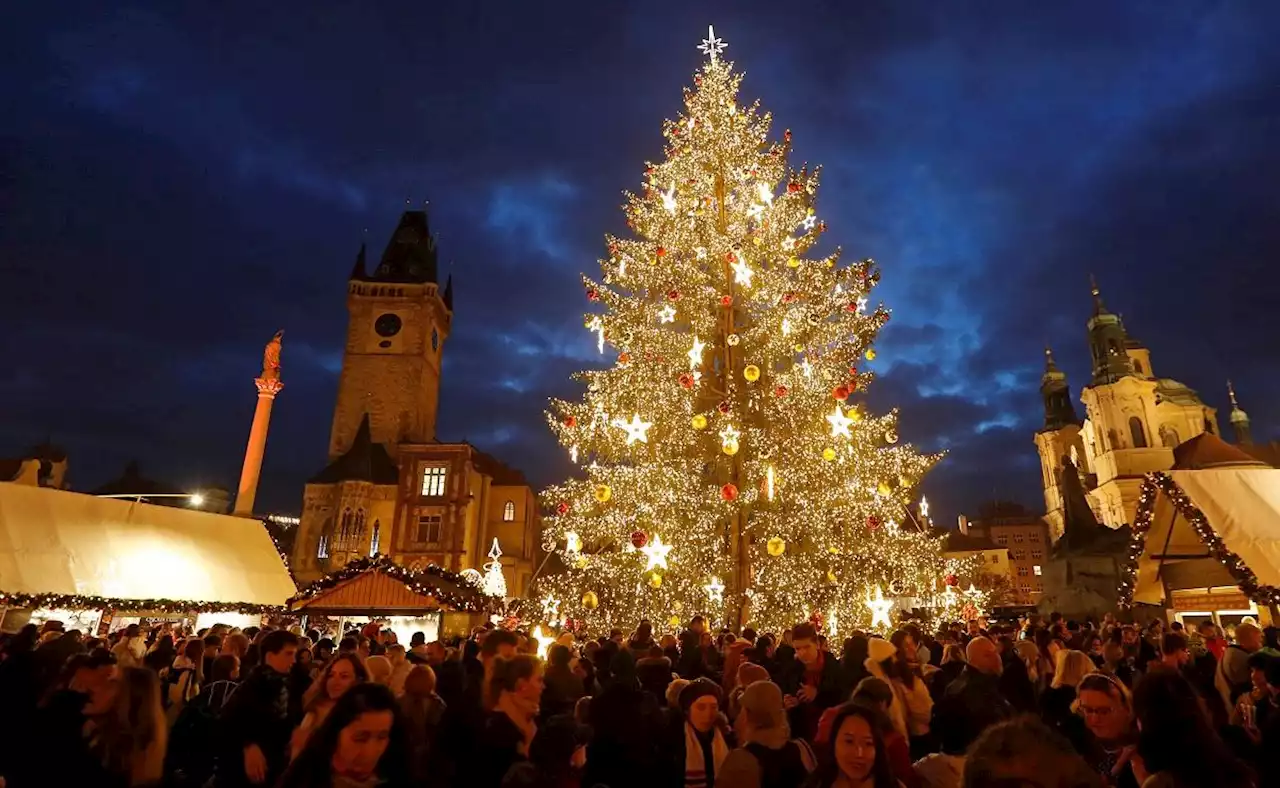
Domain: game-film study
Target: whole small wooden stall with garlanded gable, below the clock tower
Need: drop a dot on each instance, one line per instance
(433, 601)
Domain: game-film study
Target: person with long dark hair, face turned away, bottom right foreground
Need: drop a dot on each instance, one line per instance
(1178, 746)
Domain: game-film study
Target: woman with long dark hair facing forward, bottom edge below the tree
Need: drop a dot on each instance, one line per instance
(856, 757)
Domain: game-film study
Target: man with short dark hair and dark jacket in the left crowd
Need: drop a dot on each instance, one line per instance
(255, 722)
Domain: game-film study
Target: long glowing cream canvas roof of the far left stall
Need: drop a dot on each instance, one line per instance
(63, 543)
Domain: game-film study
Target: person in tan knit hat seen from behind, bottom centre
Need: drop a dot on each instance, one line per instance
(766, 746)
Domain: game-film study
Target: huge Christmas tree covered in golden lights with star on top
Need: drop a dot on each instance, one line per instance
(732, 468)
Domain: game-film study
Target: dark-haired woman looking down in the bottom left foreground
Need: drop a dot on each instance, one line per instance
(359, 745)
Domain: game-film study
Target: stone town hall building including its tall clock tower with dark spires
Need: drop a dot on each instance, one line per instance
(390, 485)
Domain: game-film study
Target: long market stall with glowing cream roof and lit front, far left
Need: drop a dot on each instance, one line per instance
(100, 563)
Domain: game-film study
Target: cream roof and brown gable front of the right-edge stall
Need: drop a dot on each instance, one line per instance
(1241, 508)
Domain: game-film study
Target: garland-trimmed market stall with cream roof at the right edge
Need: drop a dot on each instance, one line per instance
(1206, 539)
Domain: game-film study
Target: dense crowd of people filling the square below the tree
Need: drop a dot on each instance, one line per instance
(1045, 703)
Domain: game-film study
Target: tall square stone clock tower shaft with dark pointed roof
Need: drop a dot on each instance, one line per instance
(397, 323)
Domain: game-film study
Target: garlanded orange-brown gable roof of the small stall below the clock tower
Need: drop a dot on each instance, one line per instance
(381, 587)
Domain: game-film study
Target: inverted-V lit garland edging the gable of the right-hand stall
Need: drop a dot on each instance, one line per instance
(1241, 572)
